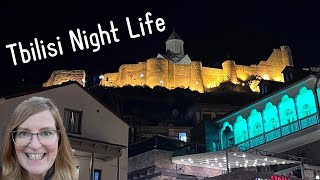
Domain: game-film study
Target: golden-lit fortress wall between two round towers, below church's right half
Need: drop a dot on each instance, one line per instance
(182, 75)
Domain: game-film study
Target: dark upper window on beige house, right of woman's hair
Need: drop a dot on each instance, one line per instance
(73, 121)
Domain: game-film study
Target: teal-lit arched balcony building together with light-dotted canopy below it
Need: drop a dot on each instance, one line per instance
(279, 122)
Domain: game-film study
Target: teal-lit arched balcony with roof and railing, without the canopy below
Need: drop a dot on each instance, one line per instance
(273, 117)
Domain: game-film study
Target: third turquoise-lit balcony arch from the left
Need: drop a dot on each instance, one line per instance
(255, 123)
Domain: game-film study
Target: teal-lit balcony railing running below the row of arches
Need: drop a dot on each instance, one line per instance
(285, 130)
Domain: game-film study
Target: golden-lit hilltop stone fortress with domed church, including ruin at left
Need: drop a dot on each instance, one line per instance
(175, 69)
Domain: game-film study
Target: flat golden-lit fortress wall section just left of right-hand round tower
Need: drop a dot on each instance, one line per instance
(212, 77)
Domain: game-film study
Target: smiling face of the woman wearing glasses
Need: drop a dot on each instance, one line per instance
(37, 157)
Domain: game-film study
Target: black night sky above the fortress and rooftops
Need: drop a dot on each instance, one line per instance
(212, 31)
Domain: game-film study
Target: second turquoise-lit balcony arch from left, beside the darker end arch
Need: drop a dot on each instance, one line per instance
(240, 130)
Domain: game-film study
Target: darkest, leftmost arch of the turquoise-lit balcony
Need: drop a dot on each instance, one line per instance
(226, 135)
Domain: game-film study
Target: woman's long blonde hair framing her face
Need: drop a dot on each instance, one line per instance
(64, 167)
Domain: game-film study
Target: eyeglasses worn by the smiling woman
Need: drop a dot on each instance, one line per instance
(46, 137)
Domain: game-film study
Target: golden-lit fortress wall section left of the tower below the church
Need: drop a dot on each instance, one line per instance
(130, 74)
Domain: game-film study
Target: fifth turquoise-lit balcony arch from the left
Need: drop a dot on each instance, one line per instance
(287, 110)
